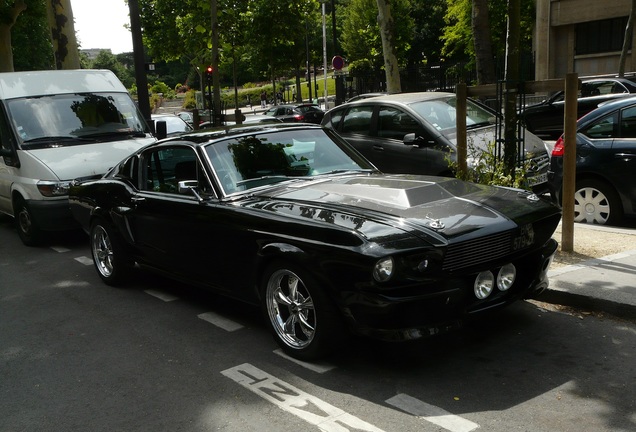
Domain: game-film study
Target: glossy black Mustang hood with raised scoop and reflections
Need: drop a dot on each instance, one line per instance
(439, 209)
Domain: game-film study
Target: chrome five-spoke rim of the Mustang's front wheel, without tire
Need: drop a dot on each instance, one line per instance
(290, 309)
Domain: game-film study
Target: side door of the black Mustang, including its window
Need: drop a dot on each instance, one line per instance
(168, 227)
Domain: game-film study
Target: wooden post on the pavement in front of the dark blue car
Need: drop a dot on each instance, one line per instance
(569, 162)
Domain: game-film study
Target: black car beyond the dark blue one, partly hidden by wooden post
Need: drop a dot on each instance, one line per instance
(546, 118)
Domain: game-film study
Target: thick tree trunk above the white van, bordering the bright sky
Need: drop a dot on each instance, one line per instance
(60, 15)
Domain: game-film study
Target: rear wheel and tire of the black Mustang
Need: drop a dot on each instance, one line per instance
(111, 261)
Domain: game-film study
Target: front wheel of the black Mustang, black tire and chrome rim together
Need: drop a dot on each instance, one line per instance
(303, 321)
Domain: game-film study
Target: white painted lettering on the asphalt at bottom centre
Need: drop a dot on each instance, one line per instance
(293, 400)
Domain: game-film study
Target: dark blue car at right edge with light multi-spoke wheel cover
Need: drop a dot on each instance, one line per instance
(605, 164)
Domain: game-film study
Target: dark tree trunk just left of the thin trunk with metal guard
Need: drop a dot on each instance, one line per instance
(483, 45)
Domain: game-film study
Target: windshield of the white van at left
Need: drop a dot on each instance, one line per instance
(69, 119)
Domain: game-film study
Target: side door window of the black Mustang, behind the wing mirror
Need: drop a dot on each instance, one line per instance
(164, 168)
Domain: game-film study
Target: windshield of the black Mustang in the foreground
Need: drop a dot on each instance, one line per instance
(255, 160)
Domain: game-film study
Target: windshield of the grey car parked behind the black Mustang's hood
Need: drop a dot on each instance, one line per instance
(441, 113)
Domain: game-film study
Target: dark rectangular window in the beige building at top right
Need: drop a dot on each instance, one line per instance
(600, 36)
